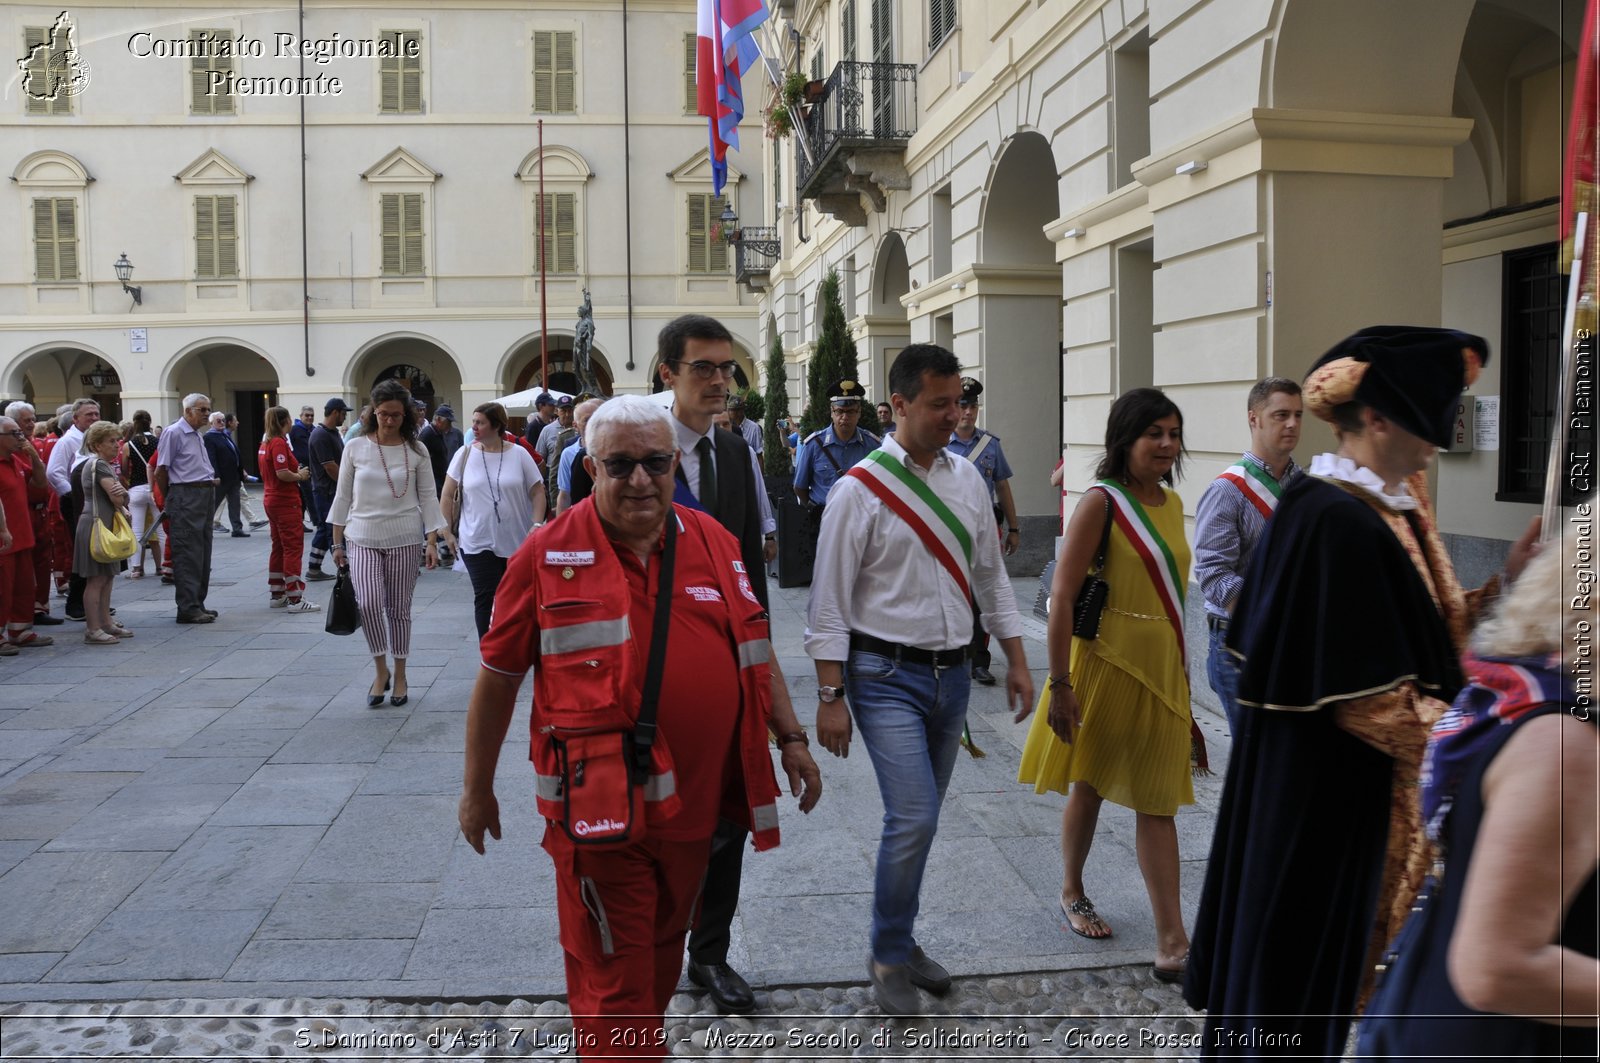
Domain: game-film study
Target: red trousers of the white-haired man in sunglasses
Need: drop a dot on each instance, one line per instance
(625, 915)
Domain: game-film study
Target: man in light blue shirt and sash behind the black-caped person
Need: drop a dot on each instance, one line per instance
(1233, 515)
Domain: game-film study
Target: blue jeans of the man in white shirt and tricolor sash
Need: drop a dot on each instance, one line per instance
(911, 720)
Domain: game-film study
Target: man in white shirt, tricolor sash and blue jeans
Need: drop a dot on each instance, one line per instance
(906, 550)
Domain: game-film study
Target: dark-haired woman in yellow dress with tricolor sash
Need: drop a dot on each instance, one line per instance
(1114, 721)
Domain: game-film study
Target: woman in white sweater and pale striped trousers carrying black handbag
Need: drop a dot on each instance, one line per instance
(385, 516)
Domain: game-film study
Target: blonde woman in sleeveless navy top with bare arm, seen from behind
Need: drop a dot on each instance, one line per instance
(1498, 958)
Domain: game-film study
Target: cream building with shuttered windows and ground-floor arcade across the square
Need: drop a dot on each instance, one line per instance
(311, 207)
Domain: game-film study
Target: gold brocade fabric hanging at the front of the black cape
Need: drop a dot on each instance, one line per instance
(1396, 723)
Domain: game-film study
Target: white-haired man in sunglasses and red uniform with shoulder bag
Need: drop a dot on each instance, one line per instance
(578, 606)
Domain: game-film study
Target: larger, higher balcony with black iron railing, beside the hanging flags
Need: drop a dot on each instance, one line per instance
(855, 138)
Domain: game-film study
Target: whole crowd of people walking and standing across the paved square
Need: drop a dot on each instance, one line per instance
(1388, 800)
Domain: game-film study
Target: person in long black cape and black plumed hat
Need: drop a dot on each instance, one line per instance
(1350, 630)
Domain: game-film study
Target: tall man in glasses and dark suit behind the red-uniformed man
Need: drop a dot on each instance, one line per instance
(719, 475)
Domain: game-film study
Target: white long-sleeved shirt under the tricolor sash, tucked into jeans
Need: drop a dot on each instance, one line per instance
(874, 576)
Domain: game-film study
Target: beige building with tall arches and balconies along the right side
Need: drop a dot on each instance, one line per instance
(1089, 196)
